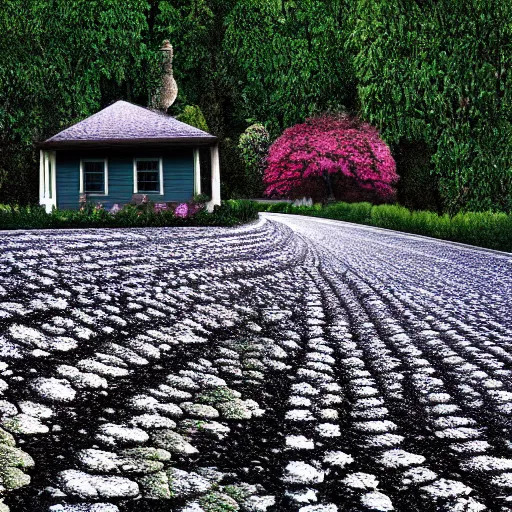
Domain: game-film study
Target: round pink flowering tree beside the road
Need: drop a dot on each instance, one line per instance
(337, 157)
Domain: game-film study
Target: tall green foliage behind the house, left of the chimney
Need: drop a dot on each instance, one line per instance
(59, 63)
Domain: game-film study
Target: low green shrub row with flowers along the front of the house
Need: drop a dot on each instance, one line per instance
(230, 213)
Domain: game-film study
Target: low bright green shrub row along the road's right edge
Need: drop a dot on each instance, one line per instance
(485, 229)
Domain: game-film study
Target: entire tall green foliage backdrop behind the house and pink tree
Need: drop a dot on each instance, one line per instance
(434, 75)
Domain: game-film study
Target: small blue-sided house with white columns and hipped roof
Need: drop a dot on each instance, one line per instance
(122, 153)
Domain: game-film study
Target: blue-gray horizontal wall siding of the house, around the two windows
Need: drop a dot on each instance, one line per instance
(178, 171)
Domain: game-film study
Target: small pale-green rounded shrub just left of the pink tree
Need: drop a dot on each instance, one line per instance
(253, 145)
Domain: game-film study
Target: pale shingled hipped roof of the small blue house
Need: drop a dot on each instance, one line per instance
(125, 124)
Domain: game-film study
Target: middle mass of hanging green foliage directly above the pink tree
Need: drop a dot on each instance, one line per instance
(290, 59)
